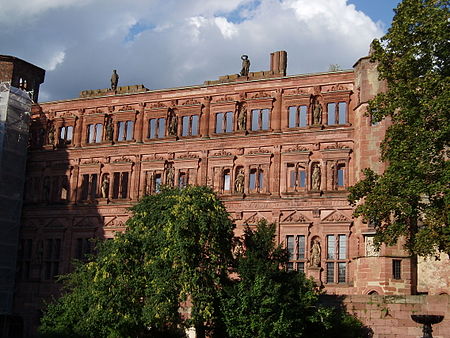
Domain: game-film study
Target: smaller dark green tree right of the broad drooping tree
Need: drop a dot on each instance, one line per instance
(267, 301)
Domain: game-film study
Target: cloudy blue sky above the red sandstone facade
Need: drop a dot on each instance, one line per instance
(171, 43)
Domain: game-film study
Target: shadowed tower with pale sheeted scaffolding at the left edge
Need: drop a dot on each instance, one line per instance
(19, 87)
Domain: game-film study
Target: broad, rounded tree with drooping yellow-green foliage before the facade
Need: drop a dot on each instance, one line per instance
(176, 250)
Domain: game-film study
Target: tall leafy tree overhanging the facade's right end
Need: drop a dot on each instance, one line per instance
(411, 198)
